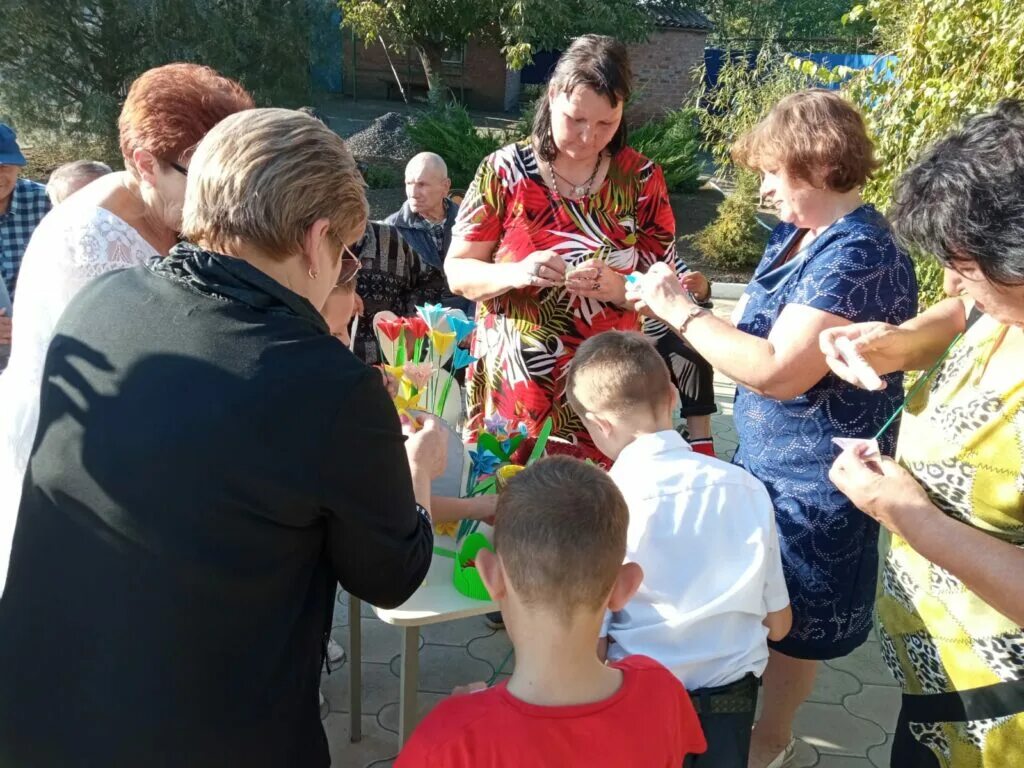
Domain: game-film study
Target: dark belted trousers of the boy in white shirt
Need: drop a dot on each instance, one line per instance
(727, 714)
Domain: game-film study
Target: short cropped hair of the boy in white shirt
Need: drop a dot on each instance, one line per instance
(618, 372)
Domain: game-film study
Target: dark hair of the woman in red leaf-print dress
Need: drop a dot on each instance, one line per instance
(594, 62)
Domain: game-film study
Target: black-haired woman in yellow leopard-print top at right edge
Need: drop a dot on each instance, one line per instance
(952, 607)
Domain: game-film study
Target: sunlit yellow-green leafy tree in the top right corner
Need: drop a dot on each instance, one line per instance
(951, 60)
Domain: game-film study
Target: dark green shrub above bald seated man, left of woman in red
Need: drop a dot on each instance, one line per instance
(449, 132)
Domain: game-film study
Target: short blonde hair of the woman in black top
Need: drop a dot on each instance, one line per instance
(265, 177)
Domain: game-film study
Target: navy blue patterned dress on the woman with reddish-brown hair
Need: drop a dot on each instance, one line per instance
(830, 549)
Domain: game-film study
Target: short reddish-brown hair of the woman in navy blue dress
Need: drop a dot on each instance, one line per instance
(809, 134)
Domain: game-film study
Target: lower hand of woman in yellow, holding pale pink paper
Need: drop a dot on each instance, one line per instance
(883, 490)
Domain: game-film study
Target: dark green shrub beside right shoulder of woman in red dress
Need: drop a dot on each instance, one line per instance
(674, 144)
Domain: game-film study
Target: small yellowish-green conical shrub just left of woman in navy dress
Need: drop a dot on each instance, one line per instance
(735, 239)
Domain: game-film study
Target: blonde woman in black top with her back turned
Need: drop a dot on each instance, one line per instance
(209, 464)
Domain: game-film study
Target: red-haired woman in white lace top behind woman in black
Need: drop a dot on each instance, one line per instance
(120, 221)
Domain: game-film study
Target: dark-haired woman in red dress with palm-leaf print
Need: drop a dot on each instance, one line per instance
(545, 236)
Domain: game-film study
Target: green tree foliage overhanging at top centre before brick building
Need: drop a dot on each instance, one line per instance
(521, 27)
